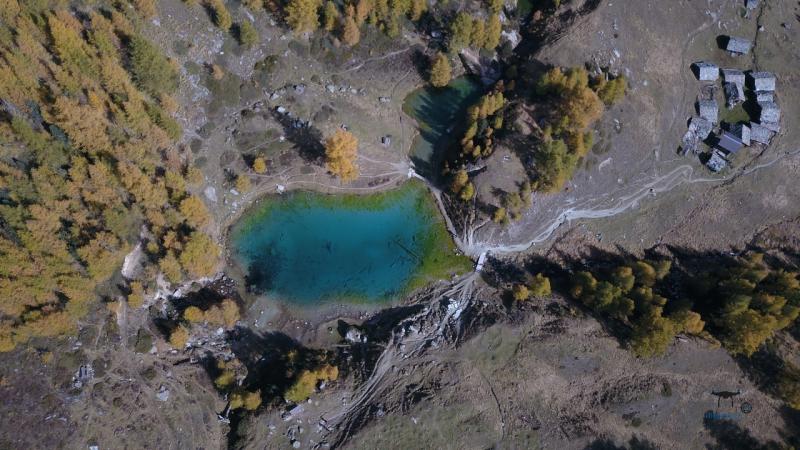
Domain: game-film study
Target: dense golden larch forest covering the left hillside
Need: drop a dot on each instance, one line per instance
(88, 166)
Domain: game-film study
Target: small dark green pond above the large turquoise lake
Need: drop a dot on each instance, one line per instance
(439, 113)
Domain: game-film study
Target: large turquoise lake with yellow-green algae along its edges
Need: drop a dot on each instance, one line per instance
(308, 249)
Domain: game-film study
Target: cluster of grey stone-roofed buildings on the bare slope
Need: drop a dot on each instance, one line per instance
(725, 139)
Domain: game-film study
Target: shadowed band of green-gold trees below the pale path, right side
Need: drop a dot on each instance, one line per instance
(740, 302)
